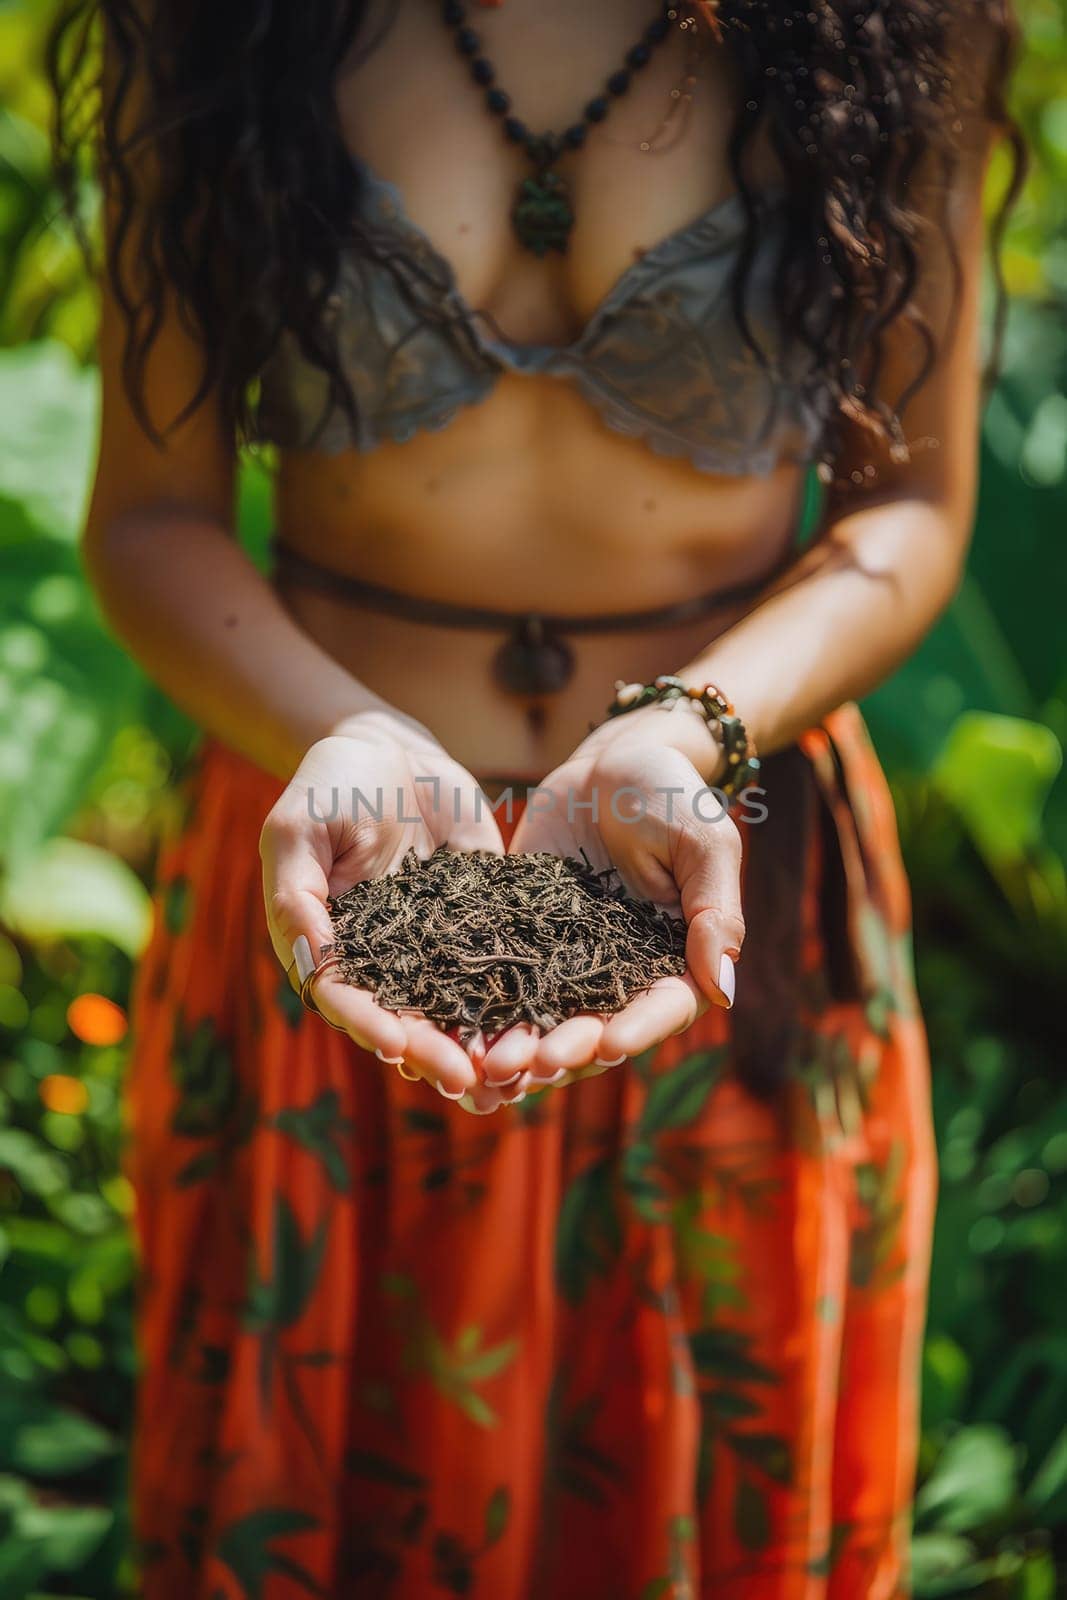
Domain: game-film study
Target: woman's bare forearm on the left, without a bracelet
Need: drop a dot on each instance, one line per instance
(214, 634)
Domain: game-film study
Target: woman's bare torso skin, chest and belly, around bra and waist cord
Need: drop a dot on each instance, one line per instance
(529, 502)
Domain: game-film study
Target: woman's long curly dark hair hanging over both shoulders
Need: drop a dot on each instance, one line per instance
(249, 212)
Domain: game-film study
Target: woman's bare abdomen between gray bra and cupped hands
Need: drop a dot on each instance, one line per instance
(524, 503)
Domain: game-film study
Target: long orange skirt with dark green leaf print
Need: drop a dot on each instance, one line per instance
(653, 1335)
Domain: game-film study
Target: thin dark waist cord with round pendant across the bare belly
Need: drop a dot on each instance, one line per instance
(535, 657)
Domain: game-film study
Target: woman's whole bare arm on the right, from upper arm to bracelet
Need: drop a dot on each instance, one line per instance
(861, 599)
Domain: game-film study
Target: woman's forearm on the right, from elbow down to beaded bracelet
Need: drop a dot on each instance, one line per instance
(847, 614)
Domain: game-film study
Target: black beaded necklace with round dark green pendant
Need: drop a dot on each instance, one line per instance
(543, 215)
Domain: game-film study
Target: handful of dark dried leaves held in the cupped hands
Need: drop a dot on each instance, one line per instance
(484, 942)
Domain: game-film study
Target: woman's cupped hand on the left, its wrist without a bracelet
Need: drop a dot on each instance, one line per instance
(321, 839)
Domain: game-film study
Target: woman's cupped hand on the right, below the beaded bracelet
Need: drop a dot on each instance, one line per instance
(633, 798)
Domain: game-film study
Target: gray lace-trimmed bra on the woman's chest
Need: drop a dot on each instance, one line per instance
(661, 358)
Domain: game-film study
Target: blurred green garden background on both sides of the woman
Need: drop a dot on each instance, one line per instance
(972, 735)
